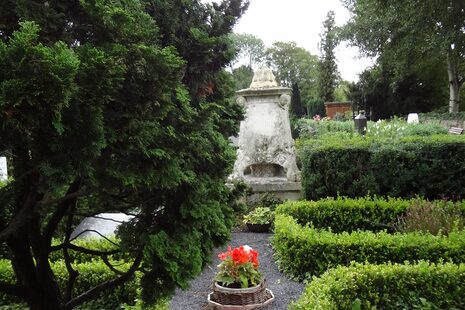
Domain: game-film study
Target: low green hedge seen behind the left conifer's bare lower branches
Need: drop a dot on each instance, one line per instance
(90, 274)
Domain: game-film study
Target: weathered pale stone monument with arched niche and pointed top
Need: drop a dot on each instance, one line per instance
(266, 155)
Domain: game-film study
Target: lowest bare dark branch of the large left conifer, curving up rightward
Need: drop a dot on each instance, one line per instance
(92, 293)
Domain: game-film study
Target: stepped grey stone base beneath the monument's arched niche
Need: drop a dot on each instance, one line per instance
(279, 187)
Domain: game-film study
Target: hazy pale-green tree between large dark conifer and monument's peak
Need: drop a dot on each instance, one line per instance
(250, 48)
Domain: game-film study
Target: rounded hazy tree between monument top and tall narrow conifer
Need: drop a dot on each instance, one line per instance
(293, 64)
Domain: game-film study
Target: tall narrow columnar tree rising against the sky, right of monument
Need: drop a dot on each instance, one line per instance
(327, 69)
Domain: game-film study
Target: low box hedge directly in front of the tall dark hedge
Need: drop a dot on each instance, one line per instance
(374, 213)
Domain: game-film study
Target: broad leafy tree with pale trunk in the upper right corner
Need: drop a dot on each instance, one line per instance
(406, 33)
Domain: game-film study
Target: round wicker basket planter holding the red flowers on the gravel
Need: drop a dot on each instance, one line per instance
(225, 298)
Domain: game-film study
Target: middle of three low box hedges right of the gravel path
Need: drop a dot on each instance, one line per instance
(305, 251)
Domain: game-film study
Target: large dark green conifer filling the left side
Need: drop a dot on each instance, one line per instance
(115, 106)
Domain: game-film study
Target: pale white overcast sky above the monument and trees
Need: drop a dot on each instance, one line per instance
(300, 21)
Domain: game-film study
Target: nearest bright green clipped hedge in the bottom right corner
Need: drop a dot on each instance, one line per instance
(421, 286)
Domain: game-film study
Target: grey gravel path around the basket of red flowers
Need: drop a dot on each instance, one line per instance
(284, 289)
